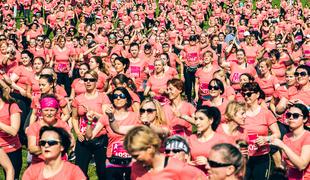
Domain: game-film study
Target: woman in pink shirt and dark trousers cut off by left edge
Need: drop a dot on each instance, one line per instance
(9, 124)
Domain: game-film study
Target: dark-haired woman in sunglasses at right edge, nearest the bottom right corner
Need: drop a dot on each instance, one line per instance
(296, 144)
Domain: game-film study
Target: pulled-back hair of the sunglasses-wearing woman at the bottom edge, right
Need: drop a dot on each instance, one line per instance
(231, 155)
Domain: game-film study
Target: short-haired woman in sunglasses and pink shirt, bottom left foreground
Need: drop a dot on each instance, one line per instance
(54, 142)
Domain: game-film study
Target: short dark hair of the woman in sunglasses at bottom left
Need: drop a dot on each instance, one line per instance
(64, 136)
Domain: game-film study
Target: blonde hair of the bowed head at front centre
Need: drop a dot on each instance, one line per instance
(141, 138)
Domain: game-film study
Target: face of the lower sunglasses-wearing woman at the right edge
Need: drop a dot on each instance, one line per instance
(294, 118)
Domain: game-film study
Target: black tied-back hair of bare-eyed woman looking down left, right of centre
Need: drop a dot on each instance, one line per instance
(212, 113)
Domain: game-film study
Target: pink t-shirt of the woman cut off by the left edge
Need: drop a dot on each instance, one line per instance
(7, 142)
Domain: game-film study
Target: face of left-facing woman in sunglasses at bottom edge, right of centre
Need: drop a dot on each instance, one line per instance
(216, 173)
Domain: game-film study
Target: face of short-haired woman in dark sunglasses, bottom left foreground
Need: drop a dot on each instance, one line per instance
(51, 151)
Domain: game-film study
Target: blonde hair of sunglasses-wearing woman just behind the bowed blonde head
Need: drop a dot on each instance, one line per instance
(160, 118)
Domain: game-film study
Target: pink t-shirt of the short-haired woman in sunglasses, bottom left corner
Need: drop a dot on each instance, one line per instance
(68, 171)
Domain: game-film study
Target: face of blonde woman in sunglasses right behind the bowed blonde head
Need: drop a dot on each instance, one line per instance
(148, 112)
